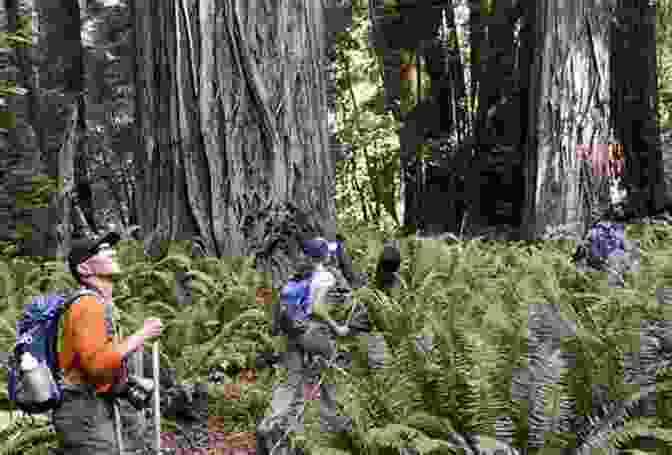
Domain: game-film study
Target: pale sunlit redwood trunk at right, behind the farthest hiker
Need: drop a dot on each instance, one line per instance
(568, 105)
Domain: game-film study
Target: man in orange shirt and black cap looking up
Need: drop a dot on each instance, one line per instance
(93, 358)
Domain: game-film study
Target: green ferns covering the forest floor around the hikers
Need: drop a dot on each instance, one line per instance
(476, 299)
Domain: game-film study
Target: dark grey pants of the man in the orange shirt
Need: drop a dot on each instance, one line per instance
(85, 422)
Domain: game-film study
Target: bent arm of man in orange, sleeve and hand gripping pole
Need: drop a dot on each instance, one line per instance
(99, 357)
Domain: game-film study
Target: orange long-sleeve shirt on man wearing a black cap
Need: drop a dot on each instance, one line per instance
(86, 345)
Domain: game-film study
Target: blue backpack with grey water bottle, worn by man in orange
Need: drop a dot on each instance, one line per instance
(37, 333)
